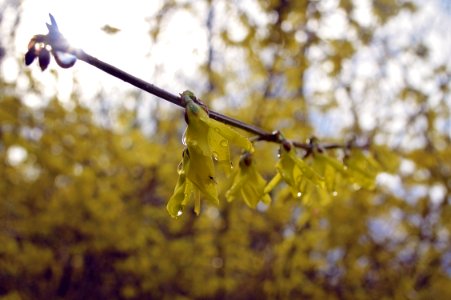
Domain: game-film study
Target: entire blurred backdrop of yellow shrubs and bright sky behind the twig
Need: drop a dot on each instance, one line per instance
(87, 163)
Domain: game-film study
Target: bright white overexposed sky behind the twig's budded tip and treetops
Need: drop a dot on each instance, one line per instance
(172, 62)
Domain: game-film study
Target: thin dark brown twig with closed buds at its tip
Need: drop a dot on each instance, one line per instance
(60, 48)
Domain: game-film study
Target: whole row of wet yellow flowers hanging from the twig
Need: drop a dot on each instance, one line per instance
(207, 143)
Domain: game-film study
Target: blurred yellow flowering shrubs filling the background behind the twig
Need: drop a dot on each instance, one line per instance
(82, 205)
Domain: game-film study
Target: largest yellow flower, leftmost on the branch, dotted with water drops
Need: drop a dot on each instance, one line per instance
(206, 140)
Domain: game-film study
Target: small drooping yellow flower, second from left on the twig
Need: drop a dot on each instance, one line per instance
(248, 183)
